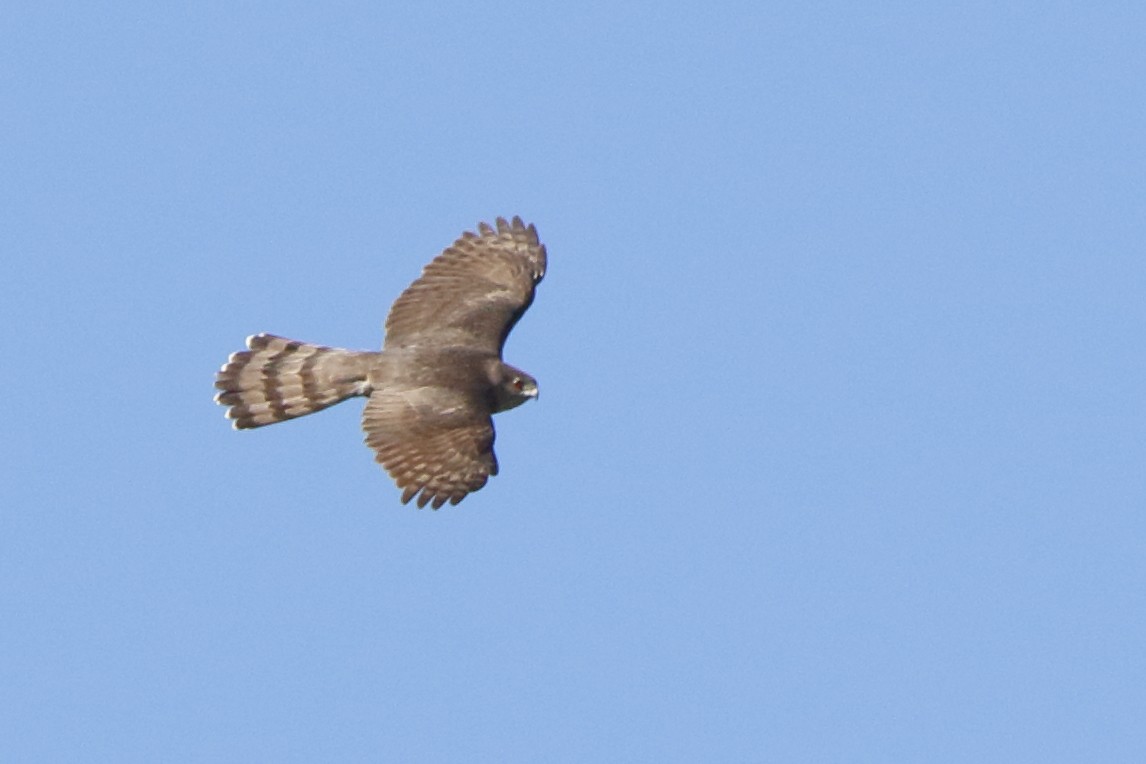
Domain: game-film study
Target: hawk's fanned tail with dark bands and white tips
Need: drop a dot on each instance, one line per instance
(281, 380)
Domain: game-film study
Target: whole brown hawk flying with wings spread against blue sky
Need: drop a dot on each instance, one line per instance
(433, 390)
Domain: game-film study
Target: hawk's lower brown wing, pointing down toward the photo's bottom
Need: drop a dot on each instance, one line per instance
(436, 443)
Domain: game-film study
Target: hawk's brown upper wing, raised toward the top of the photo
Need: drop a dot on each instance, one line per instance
(473, 294)
